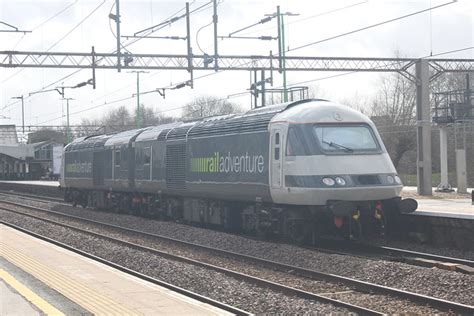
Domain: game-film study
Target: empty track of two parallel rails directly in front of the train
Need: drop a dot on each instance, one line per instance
(297, 271)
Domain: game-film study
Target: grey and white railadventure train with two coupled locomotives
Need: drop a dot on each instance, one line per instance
(299, 170)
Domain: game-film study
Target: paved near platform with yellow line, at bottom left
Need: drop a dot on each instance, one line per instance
(41, 278)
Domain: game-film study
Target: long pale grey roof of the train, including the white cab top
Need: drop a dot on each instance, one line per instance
(254, 120)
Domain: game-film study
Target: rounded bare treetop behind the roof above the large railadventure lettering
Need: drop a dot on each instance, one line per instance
(205, 106)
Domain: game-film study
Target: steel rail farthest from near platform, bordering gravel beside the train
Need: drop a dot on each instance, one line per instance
(313, 274)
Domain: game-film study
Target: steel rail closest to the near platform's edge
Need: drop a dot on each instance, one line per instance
(137, 274)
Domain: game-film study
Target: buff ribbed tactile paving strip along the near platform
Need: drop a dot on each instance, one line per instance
(89, 299)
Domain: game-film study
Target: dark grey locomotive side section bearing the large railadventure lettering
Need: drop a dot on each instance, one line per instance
(227, 158)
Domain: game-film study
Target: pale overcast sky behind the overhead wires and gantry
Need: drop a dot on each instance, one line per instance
(448, 28)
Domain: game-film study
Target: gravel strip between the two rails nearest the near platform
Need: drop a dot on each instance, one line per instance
(218, 286)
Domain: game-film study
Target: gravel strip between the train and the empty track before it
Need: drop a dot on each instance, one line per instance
(433, 282)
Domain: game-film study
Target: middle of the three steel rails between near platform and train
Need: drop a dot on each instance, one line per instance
(241, 276)
